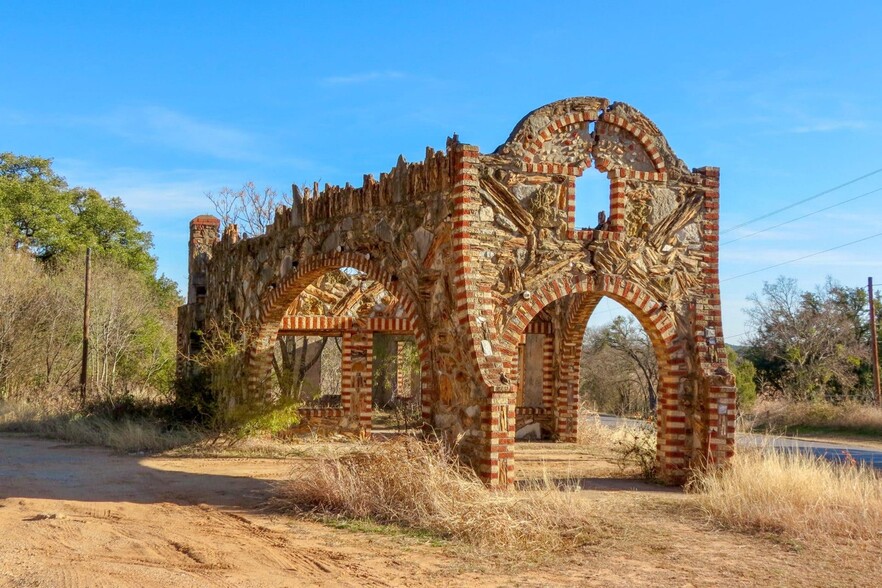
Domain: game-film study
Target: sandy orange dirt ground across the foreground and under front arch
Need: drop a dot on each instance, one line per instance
(84, 516)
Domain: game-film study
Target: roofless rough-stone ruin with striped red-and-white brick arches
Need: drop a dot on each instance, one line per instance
(474, 246)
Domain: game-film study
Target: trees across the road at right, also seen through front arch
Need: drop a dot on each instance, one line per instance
(804, 345)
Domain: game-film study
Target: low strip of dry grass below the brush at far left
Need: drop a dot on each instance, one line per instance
(123, 434)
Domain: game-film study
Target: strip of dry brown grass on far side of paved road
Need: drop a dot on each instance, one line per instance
(782, 415)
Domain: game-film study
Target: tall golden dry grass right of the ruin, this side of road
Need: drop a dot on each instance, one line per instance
(794, 493)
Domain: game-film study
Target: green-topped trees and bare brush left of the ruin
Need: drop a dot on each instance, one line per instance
(45, 228)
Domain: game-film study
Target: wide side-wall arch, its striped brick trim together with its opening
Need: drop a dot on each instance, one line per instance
(316, 345)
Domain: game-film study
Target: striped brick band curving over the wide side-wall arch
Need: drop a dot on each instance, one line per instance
(276, 302)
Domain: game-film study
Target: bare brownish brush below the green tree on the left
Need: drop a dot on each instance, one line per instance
(132, 334)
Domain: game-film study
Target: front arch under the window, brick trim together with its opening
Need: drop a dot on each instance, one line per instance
(626, 325)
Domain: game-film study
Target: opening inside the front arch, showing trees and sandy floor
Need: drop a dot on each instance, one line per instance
(601, 380)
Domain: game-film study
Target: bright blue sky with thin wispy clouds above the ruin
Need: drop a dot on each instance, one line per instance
(159, 102)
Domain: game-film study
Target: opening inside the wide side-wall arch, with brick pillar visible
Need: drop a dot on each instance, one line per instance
(346, 344)
